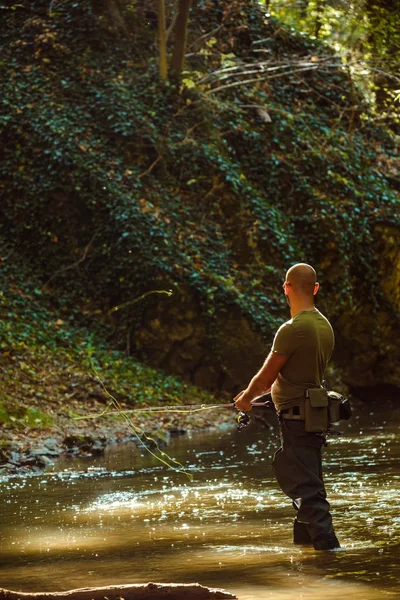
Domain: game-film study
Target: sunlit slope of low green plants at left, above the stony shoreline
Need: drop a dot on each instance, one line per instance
(51, 358)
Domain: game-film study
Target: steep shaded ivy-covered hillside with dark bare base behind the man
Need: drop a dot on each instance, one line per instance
(113, 184)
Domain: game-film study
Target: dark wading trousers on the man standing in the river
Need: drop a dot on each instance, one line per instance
(298, 470)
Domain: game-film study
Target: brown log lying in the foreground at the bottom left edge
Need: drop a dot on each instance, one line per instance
(149, 591)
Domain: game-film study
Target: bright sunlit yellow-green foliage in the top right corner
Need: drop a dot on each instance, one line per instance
(365, 33)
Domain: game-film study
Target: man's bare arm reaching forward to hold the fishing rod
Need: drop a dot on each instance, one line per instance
(262, 382)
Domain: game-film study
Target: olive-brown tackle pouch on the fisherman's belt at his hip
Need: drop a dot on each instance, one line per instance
(323, 408)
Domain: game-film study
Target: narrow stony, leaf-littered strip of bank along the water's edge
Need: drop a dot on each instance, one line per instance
(31, 450)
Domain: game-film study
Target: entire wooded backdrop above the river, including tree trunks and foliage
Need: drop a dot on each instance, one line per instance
(202, 153)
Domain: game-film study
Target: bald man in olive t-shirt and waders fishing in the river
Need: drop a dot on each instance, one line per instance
(300, 352)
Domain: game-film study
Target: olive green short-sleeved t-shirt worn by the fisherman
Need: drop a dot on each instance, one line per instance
(307, 340)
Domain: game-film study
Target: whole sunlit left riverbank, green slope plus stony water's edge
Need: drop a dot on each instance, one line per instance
(57, 376)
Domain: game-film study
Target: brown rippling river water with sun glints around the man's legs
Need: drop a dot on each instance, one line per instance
(125, 518)
